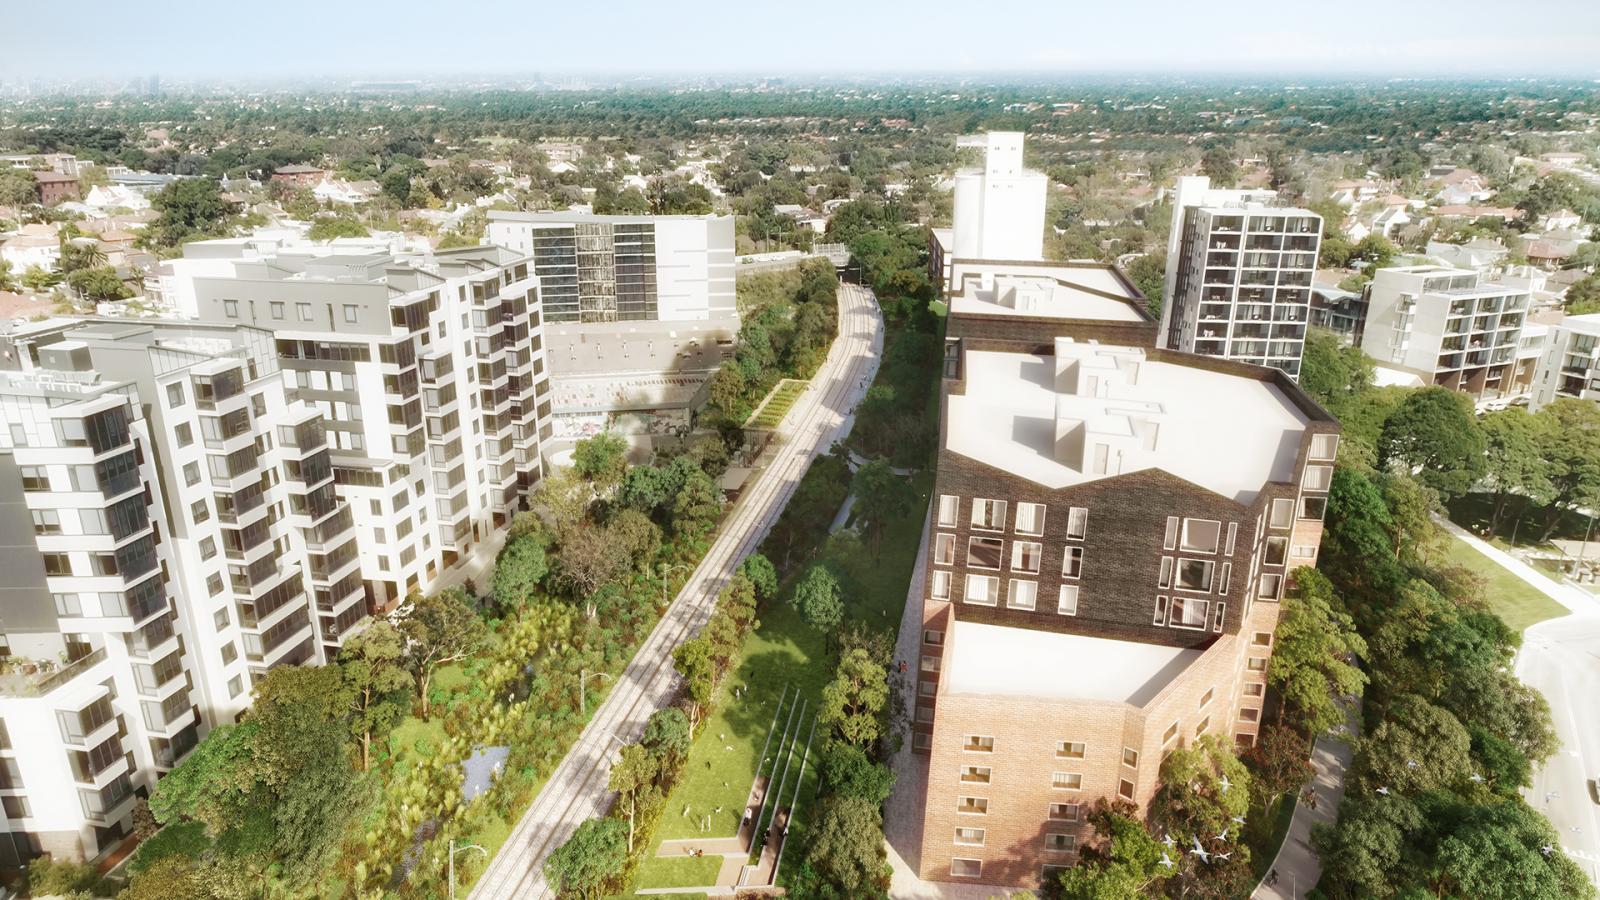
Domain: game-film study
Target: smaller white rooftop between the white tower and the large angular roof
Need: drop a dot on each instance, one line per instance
(1055, 297)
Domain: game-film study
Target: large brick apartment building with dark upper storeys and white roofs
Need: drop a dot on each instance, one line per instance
(1113, 531)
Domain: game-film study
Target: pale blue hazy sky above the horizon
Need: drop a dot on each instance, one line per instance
(423, 39)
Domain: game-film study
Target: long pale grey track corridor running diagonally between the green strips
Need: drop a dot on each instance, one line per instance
(578, 787)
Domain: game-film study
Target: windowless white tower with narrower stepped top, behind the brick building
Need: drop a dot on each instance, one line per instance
(1001, 207)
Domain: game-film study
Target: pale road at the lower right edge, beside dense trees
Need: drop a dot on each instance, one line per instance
(1561, 657)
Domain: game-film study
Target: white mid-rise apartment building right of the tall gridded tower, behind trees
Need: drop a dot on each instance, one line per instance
(1450, 327)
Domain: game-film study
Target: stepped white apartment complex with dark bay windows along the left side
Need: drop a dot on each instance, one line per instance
(186, 505)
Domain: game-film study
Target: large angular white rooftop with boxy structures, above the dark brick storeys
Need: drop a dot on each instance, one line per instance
(1098, 411)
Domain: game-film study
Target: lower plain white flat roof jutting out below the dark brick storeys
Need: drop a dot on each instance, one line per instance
(1023, 662)
